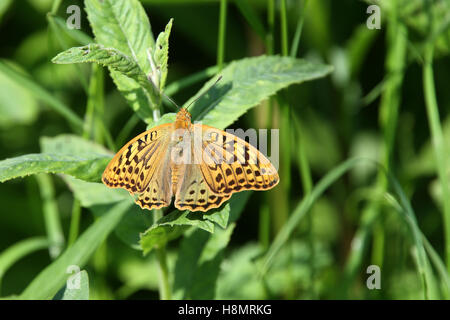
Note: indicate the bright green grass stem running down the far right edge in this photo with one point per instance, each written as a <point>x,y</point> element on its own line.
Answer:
<point>438,144</point>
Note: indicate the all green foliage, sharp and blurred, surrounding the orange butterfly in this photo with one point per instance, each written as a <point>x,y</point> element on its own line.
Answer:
<point>364,134</point>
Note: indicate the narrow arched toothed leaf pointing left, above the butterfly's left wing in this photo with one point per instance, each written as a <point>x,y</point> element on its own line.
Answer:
<point>108,57</point>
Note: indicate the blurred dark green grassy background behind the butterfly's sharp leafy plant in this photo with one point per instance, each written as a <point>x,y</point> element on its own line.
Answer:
<point>377,104</point>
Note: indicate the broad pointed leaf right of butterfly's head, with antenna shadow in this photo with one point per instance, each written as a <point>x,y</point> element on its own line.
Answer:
<point>246,83</point>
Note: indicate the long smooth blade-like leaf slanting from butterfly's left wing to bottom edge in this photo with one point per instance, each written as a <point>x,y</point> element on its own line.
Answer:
<point>47,283</point>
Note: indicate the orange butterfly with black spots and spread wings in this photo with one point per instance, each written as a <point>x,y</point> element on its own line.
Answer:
<point>201,165</point>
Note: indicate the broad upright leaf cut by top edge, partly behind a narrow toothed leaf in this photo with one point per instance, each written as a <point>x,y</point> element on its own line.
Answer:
<point>124,25</point>
